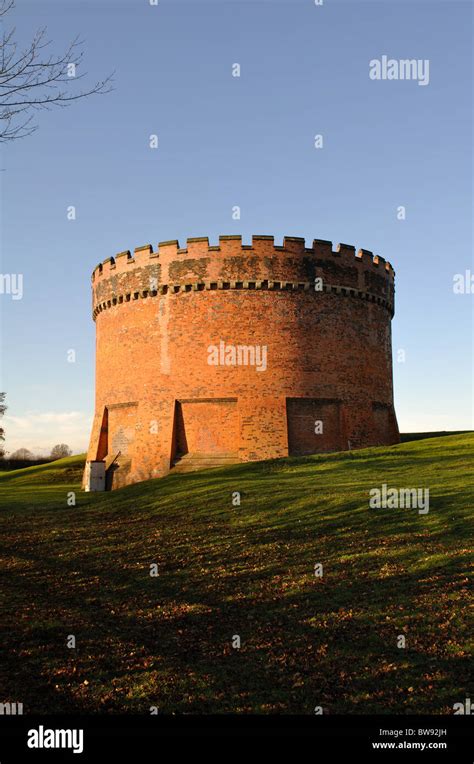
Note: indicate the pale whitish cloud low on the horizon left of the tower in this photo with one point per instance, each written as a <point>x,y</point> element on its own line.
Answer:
<point>40,431</point>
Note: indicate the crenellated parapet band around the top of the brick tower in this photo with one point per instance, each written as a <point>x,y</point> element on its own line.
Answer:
<point>233,265</point>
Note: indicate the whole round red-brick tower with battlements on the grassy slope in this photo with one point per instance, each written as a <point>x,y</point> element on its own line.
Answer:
<point>213,354</point>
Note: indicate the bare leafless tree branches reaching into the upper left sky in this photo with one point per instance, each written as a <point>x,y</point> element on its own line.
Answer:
<point>33,78</point>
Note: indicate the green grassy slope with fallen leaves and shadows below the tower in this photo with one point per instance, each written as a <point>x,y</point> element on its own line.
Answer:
<point>248,570</point>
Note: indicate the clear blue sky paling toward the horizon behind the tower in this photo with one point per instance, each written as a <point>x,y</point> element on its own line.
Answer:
<point>247,141</point>
